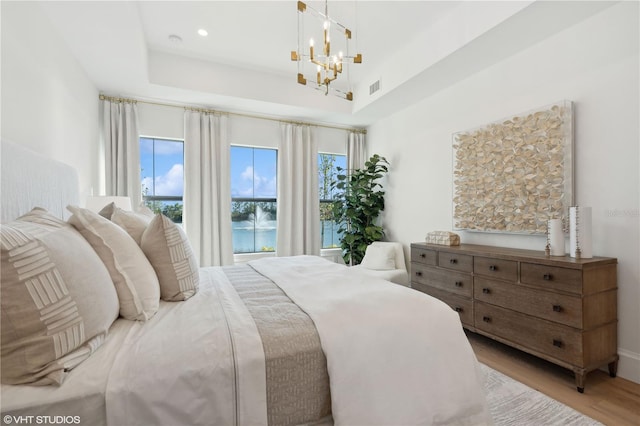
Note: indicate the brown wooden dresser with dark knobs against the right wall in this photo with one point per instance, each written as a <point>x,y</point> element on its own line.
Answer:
<point>557,308</point>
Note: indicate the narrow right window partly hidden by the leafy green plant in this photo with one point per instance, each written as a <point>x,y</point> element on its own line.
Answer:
<point>327,172</point>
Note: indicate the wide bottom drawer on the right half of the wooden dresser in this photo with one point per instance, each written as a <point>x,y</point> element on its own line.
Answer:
<point>554,340</point>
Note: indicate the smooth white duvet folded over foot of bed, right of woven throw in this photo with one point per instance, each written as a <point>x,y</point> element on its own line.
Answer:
<point>395,356</point>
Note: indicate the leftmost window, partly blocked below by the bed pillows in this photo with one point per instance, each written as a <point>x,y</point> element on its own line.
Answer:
<point>162,173</point>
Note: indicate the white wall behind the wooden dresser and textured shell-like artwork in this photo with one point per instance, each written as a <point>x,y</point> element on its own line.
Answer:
<point>595,65</point>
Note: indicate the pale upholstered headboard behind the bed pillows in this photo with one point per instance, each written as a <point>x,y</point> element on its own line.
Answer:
<point>29,180</point>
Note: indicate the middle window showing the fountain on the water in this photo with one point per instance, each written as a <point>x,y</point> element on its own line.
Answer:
<point>253,199</point>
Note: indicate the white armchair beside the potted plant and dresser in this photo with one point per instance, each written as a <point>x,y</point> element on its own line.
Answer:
<point>385,260</point>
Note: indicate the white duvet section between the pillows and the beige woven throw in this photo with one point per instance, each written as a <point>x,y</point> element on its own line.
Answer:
<point>198,362</point>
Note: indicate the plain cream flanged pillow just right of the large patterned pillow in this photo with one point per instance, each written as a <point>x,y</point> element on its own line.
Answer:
<point>135,280</point>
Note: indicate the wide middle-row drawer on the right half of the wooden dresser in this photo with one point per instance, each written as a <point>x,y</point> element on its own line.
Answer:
<point>563,309</point>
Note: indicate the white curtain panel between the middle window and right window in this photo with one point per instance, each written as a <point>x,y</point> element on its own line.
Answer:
<point>298,202</point>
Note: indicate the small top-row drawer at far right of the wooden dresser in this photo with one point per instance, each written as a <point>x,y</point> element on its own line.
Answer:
<point>551,277</point>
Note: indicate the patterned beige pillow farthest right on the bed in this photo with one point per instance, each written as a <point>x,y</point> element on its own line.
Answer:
<point>170,254</point>
